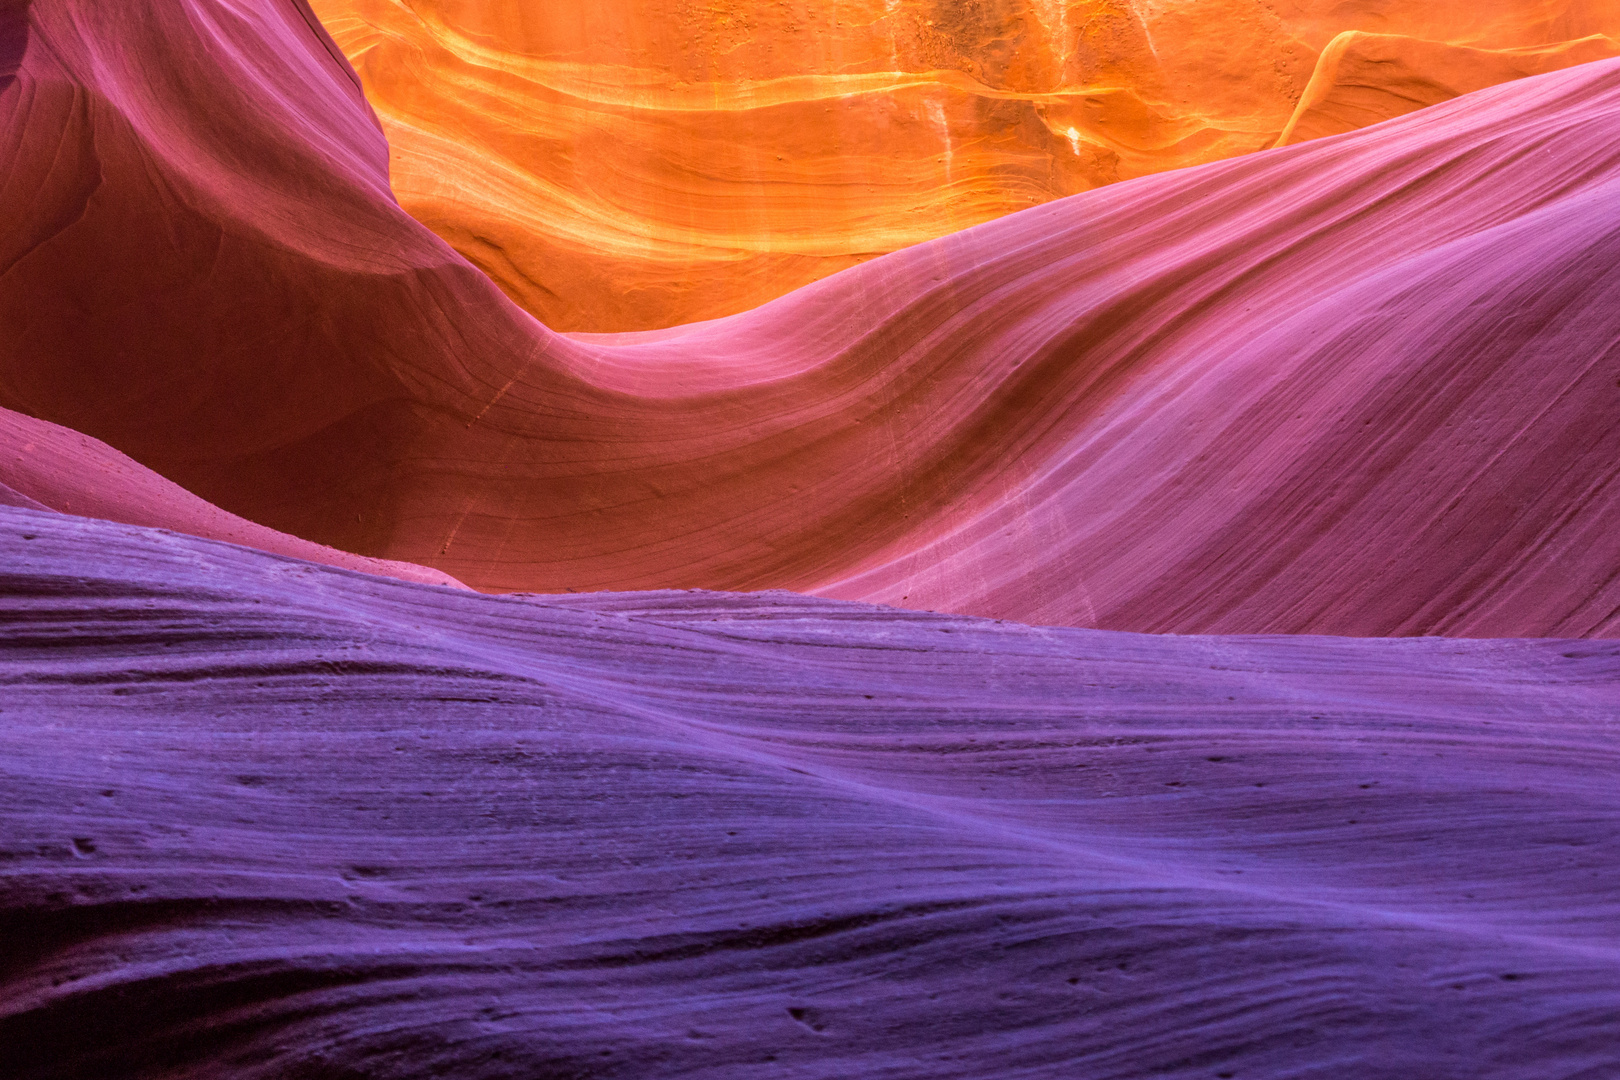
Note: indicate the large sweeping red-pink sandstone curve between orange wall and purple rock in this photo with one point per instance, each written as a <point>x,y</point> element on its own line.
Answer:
<point>1357,386</point>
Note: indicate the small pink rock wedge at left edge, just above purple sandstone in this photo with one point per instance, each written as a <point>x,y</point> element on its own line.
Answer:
<point>48,467</point>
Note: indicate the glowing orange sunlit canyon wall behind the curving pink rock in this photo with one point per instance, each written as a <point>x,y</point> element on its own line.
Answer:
<point>637,164</point>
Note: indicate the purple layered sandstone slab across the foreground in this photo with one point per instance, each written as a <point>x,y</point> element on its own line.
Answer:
<point>265,819</point>
